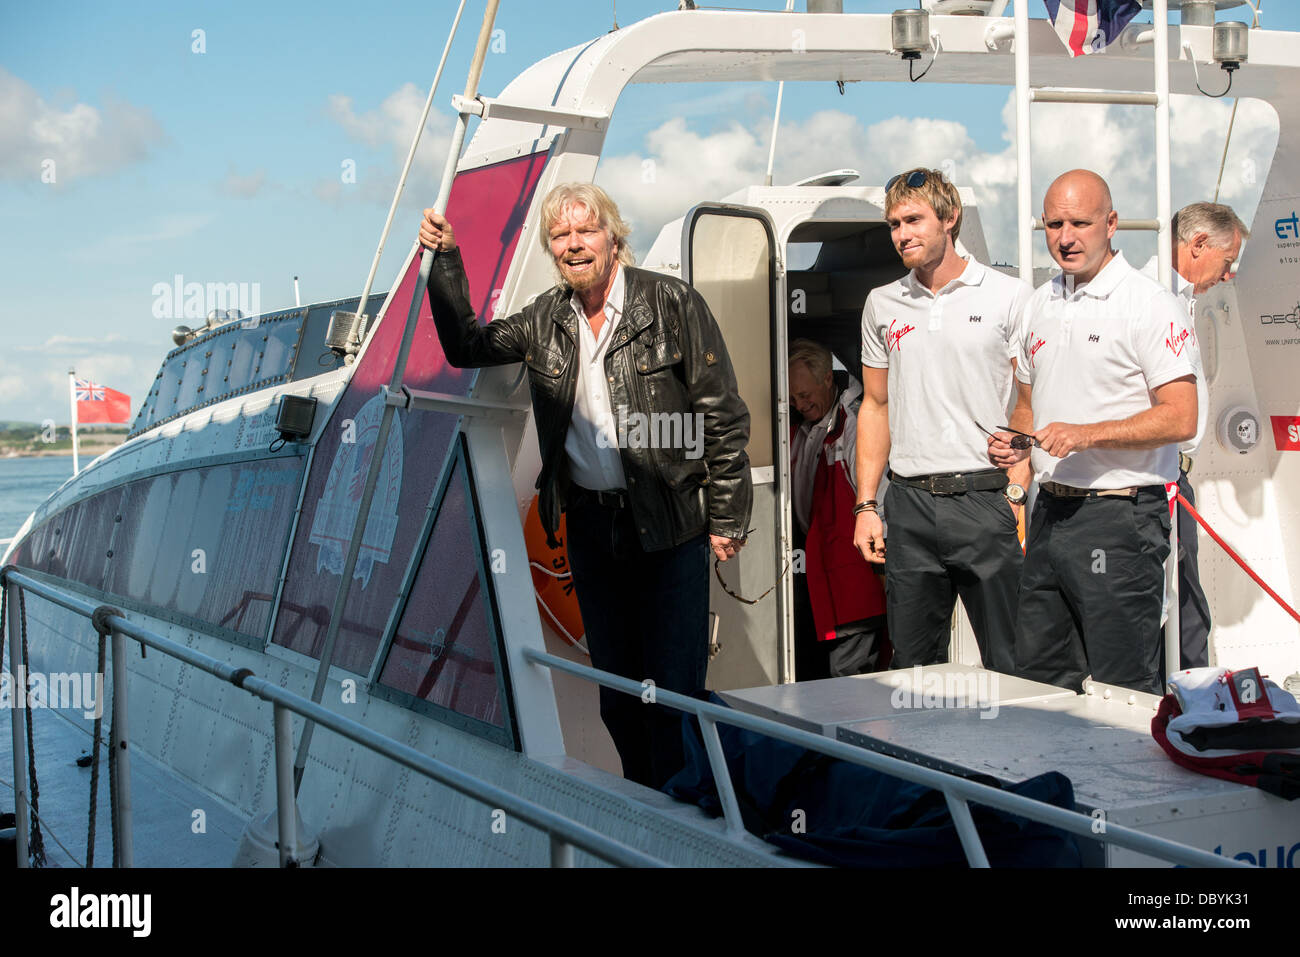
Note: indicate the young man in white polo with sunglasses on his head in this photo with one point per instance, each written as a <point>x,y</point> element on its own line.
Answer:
<point>938,362</point>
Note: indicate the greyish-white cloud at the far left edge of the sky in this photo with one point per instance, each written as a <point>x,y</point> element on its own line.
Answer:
<point>80,141</point>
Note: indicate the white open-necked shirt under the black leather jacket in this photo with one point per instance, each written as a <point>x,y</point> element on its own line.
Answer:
<point>592,443</point>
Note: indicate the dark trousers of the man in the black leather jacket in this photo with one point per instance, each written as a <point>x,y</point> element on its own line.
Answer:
<point>647,618</point>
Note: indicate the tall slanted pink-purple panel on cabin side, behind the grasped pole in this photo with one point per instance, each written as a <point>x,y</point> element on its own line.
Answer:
<point>488,207</point>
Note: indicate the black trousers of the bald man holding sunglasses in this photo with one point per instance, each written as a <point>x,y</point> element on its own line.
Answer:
<point>1093,590</point>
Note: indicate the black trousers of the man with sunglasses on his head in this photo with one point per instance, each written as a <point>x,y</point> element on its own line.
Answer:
<point>941,548</point>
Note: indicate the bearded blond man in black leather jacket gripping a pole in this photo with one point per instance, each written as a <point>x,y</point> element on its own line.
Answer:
<point>643,439</point>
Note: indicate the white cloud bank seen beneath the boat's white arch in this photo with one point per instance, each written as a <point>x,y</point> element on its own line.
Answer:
<point>681,167</point>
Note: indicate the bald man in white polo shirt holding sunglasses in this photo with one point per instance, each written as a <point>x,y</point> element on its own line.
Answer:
<point>1106,371</point>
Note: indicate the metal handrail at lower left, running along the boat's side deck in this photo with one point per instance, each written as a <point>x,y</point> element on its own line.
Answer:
<point>565,834</point>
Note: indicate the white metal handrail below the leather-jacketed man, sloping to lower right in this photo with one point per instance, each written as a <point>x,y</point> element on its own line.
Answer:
<point>957,791</point>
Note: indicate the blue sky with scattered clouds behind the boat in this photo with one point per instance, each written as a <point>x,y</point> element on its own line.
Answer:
<point>226,166</point>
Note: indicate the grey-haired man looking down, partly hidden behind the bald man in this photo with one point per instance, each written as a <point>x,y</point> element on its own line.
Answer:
<point>1207,240</point>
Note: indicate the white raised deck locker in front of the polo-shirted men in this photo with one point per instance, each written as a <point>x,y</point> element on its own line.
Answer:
<point>1013,730</point>
